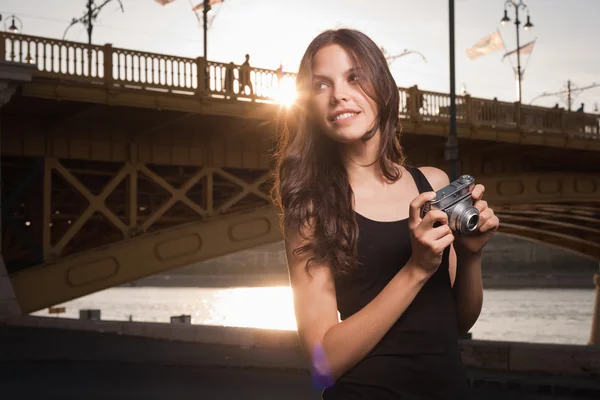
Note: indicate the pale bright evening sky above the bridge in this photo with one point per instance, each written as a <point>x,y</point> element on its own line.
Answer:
<point>567,34</point>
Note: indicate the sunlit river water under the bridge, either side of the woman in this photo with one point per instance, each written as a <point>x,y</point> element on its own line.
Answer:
<point>524,315</point>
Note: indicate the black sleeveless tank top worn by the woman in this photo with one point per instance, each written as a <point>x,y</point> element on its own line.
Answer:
<point>419,357</point>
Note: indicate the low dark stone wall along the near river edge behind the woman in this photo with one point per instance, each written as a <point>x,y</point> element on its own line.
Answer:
<point>514,357</point>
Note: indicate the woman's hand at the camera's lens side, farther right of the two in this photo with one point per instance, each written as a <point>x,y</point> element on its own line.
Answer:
<point>488,225</point>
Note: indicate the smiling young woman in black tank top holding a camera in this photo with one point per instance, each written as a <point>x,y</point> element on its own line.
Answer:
<point>355,241</point>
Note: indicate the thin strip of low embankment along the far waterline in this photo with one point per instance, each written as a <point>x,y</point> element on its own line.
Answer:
<point>518,281</point>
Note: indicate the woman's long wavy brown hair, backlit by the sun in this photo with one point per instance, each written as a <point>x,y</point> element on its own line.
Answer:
<point>311,183</point>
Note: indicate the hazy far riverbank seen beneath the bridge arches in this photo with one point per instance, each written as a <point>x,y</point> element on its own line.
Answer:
<point>508,263</point>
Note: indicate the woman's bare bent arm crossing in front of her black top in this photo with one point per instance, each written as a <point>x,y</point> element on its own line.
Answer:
<point>334,347</point>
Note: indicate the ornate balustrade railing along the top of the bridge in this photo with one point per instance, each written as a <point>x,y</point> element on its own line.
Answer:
<point>112,66</point>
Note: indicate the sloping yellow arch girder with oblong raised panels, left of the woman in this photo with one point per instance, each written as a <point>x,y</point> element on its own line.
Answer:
<point>84,273</point>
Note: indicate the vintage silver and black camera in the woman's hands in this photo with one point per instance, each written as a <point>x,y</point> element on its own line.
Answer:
<point>456,201</point>
